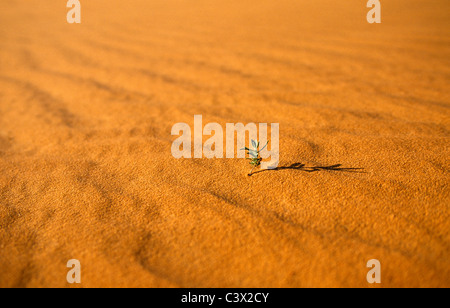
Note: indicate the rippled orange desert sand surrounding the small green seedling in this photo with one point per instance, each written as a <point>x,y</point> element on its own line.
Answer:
<point>85,165</point>
